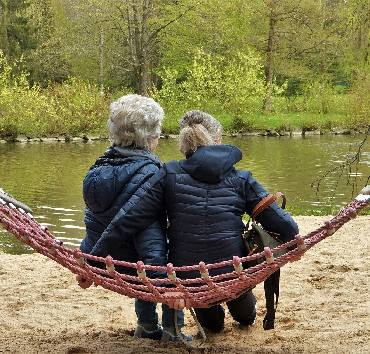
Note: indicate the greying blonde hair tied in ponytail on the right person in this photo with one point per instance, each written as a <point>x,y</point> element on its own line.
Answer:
<point>198,128</point>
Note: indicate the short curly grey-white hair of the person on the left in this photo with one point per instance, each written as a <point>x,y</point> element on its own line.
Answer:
<point>135,121</point>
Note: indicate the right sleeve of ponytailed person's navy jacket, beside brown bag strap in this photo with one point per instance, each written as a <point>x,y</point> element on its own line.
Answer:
<point>273,218</point>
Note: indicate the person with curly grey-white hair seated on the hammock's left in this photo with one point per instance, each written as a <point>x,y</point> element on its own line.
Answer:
<point>134,126</point>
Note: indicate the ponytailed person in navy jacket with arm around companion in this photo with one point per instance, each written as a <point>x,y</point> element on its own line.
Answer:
<point>205,198</point>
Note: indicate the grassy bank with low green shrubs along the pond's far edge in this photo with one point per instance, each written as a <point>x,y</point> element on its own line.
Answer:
<point>77,107</point>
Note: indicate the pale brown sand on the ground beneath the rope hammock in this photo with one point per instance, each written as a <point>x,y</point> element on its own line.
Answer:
<point>324,307</point>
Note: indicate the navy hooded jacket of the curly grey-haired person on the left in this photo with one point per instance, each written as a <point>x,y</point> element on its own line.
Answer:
<point>108,185</point>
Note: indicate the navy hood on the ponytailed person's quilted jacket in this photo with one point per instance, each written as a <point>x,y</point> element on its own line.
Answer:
<point>211,164</point>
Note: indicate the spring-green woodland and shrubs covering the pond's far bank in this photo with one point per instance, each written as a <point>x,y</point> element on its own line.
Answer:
<point>253,64</point>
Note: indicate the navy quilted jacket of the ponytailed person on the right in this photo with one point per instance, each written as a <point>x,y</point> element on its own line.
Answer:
<point>204,197</point>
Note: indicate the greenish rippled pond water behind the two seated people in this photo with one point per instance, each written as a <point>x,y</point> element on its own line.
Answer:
<point>48,176</point>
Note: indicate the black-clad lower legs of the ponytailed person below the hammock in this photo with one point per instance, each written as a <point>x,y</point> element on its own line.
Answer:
<point>242,310</point>
